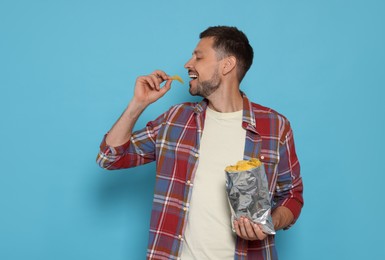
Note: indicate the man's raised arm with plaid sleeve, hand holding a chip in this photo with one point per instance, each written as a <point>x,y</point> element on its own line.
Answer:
<point>119,149</point>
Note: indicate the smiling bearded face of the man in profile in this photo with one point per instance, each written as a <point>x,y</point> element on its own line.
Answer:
<point>203,69</point>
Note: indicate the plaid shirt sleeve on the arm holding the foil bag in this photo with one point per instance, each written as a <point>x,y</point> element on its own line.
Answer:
<point>289,183</point>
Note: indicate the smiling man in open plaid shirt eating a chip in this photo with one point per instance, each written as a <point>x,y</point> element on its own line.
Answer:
<point>192,143</point>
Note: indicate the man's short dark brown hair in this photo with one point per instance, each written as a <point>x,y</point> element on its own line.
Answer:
<point>231,41</point>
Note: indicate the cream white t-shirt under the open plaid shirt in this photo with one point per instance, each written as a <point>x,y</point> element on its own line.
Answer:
<point>208,233</point>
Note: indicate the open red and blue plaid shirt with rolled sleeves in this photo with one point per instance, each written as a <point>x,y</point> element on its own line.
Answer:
<point>172,140</point>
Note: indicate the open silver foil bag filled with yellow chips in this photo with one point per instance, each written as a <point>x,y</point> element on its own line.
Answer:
<point>248,193</point>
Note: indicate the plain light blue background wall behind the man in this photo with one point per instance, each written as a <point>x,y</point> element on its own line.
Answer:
<point>67,70</point>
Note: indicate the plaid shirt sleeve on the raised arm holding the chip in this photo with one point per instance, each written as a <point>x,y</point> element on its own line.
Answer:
<point>140,149</point>
